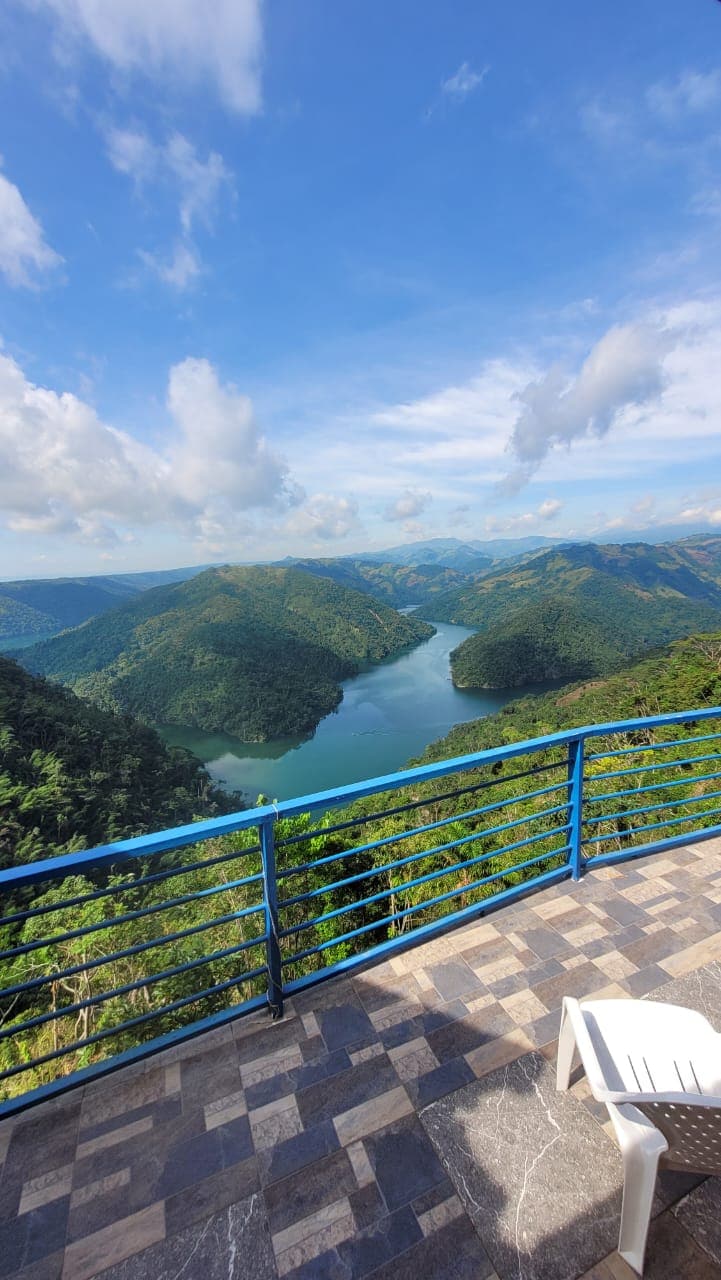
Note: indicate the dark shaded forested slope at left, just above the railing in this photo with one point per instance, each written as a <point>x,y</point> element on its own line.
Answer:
<point>74,776</point>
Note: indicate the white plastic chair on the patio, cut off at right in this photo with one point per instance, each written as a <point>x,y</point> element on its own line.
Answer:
<point>658,1068</point>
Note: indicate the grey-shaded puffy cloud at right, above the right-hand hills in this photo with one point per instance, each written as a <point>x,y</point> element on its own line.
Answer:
<point>623,369</point>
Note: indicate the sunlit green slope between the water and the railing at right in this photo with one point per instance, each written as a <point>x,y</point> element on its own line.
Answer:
<point>687,675</point>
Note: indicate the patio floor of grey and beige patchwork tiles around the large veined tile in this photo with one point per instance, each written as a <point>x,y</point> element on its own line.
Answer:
<point>296,1150</point>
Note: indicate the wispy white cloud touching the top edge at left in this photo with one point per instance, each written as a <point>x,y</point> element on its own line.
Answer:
<point>171,43</point>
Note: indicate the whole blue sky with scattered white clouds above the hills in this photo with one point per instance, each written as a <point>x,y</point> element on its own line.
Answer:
<point>311,277</point>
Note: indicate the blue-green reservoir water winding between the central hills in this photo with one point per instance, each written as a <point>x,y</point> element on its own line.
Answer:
<point>389,715</point>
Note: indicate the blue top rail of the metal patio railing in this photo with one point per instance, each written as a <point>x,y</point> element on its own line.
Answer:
<point>193,834</point>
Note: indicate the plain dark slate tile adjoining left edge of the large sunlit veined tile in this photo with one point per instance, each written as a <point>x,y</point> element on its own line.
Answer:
<point>404,1162</point>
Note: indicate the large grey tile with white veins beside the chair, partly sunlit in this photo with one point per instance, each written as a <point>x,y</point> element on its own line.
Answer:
<point>485,1135</point>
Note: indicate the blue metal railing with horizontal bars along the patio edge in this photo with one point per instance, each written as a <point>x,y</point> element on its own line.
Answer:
<point>112,954</point>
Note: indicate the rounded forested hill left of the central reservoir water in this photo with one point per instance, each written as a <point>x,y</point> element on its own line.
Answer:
<point>248,651</point>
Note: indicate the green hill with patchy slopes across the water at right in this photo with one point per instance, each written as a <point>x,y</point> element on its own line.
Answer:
<point>581,610</point>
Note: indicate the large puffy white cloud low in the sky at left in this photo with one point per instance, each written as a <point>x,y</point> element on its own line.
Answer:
<point>63,470</point>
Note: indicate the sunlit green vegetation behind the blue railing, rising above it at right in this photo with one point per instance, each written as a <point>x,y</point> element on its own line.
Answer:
<point>202,917</point>
